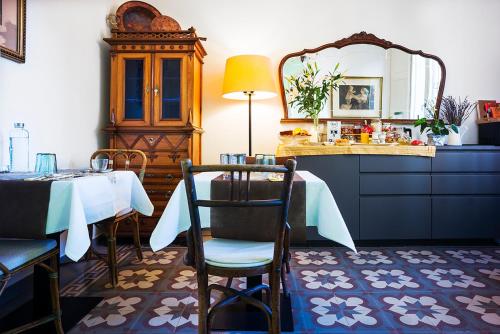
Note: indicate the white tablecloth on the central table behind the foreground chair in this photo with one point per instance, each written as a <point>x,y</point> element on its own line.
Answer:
<point>321,211</point>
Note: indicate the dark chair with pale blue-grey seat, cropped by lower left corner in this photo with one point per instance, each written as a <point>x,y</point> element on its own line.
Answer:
<point>20,254</point>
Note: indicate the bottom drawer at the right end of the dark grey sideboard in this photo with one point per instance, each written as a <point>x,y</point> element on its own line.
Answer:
<point>465,217</point>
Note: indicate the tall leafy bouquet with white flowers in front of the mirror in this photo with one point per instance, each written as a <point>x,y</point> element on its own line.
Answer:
<point>308,91</point>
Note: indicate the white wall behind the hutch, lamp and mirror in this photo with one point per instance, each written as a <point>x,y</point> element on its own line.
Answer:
<point>61,91</point>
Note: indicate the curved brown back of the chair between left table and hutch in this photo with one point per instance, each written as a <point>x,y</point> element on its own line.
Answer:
<point>128,155</point>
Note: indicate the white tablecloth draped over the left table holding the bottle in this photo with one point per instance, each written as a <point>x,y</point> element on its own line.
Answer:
<point>74,203</point>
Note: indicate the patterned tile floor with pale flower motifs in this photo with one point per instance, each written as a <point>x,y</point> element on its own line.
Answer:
<point>378,290</point>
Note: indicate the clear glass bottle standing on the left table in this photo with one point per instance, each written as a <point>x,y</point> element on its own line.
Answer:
<point>19,139</point>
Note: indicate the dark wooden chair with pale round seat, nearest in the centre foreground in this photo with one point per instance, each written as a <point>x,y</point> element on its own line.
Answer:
<point>238,258</point>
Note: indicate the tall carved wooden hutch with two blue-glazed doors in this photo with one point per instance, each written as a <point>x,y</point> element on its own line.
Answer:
<point>155,97</point>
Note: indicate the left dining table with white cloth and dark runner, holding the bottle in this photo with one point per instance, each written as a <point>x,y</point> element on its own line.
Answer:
<point>75,200</point>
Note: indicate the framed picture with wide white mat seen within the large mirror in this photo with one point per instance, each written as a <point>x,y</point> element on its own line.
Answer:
<point>358,97</point>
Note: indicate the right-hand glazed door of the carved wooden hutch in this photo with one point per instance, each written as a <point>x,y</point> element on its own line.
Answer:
<point>169,90</point>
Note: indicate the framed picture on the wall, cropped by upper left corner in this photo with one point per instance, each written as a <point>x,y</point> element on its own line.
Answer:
<point>13,29</point>
